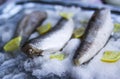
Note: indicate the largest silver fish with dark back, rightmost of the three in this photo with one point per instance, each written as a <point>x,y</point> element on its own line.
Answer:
<point>96,36</point>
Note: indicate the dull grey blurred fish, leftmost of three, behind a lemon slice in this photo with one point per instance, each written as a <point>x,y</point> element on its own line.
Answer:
<point>28,24</point>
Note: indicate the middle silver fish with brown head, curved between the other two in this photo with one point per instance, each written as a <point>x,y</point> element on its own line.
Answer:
<point>54,40</point>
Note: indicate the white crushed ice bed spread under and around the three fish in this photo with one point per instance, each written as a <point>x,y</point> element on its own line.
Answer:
<point>20,67</point>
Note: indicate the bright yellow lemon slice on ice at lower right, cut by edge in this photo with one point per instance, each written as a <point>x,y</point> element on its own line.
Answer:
<point>111,56</point>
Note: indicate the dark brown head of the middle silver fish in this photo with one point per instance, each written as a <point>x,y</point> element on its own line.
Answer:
<point>31,51</point>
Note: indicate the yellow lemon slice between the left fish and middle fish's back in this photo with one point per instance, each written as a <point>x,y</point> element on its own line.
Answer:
<point>44,29</point>
